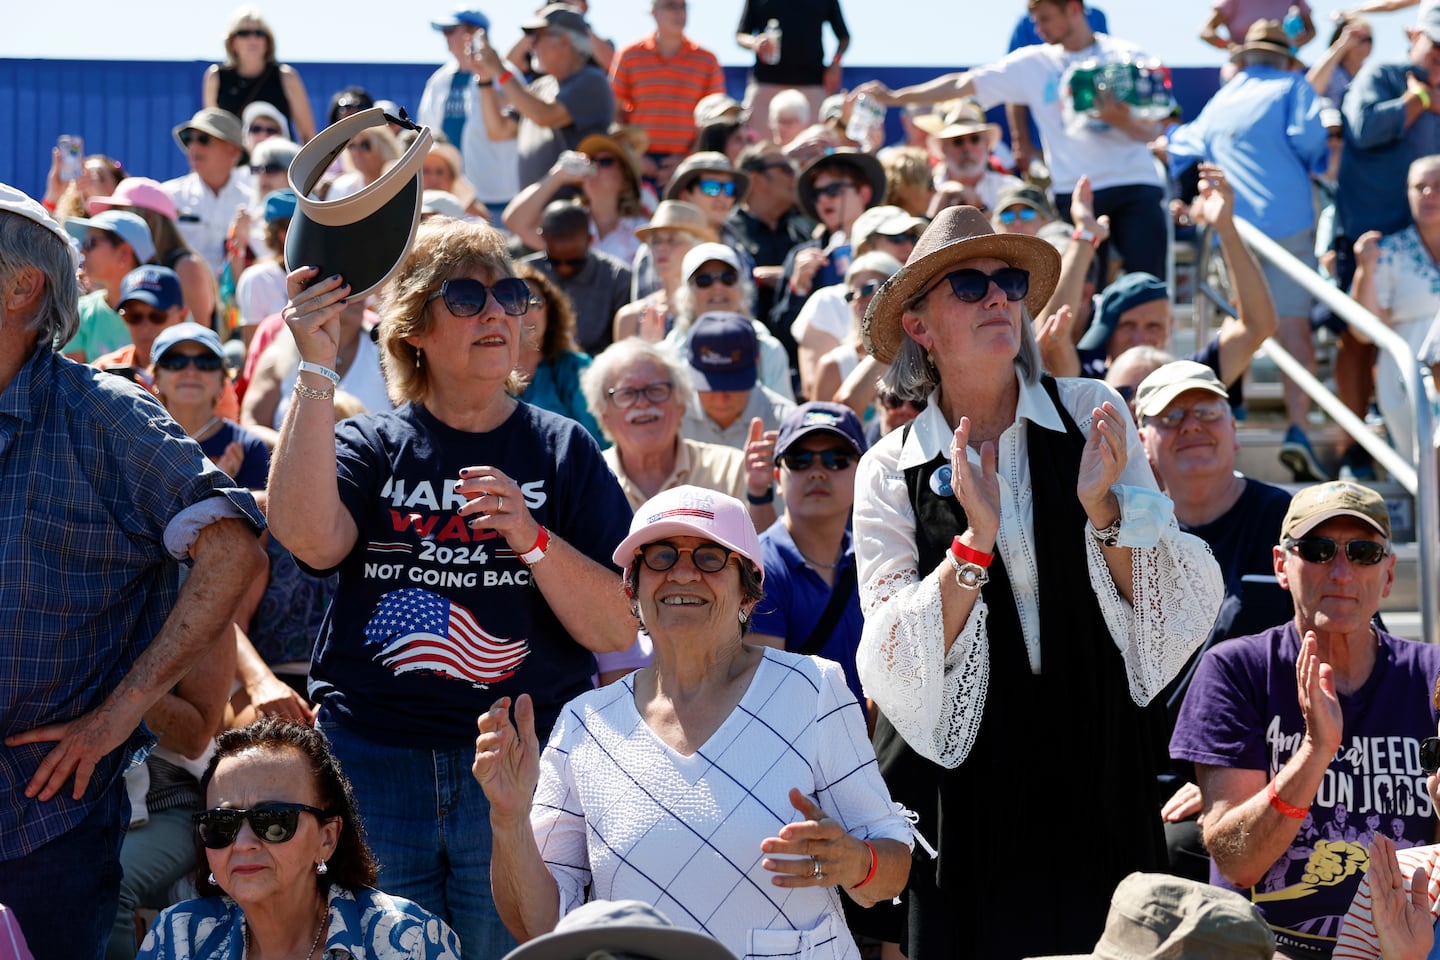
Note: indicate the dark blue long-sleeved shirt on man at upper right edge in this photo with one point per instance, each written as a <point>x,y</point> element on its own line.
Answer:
<point>1379,150</point>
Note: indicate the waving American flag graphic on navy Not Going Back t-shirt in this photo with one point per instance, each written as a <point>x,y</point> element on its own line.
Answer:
<point>421,631</point>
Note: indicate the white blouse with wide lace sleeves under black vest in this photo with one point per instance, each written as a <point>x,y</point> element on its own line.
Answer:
<point>934,699</point>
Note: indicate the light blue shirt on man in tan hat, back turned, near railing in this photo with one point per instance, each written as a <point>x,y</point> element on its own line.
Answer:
<point>1265,132</point>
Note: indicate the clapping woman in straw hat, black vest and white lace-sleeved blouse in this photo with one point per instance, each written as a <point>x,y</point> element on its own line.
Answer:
<point>1027,592</point>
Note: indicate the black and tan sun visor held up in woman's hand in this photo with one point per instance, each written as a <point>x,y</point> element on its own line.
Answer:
<point>364,237</point>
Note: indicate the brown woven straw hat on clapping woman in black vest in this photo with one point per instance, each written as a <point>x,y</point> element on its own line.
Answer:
<point>957,234</point>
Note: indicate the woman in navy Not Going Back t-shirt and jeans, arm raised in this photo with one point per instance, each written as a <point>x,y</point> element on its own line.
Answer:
<point>472,533</point>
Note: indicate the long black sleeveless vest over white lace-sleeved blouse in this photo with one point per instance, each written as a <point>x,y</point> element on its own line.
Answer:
<point>1058,800</point>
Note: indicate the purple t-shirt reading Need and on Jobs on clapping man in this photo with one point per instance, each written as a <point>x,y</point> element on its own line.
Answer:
<point>1243,712</point>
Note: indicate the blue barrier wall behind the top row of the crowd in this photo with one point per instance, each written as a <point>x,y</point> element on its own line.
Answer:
<point>127,109</point>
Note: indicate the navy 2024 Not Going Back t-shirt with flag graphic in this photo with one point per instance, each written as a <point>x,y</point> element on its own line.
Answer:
<point>434,621</point>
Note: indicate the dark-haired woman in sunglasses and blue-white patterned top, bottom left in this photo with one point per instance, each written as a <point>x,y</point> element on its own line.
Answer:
<point>282,863</point>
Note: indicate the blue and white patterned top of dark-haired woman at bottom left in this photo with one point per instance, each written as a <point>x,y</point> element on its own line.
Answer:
<point>365,925</point>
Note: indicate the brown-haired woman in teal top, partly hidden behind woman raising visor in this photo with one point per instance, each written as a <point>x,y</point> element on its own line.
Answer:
<point>549,359</point>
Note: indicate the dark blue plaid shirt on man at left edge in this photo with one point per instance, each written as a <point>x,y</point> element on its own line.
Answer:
<point>102,494</point>
